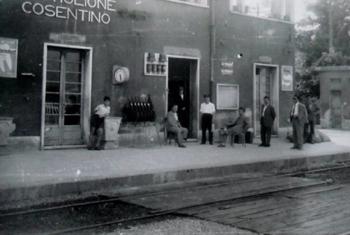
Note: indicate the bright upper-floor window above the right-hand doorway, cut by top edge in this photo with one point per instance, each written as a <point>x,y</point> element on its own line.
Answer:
<point>277,9</point>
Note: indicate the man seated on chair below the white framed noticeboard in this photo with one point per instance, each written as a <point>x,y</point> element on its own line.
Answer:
<point>238,127</point>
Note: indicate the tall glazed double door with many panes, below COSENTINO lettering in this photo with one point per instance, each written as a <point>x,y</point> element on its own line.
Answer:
<point>63,97</point>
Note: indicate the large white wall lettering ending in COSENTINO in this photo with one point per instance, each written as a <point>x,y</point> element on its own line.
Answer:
<point>92,11</point>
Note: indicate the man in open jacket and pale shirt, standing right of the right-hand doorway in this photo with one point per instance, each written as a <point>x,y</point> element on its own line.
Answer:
<point>298,117</point>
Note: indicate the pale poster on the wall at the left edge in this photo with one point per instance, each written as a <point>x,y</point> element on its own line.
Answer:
<point>8,57</point>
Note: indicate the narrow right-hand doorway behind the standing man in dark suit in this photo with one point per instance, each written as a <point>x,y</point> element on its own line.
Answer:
<point>266,83</point>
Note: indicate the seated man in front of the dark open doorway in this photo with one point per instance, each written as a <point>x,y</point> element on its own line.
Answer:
<point>173,126</point>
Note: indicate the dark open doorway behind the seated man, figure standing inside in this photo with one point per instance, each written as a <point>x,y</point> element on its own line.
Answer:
<point>183,90</point>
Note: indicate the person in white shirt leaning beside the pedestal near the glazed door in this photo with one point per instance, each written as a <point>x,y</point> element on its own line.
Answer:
<point>97,124</point>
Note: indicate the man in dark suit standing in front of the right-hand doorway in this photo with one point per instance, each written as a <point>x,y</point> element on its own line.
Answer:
<point>268,116</point>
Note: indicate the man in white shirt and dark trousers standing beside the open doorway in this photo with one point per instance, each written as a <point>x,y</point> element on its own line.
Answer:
<point>207,110</point>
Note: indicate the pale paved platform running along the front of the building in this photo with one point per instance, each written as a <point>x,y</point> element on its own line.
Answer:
<point>57,166</point>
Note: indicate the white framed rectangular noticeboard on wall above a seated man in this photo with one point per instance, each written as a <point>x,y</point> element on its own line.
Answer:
<point>227,96</point>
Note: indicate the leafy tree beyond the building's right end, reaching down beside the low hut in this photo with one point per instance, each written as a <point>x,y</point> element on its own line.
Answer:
<point>325,36</point>
